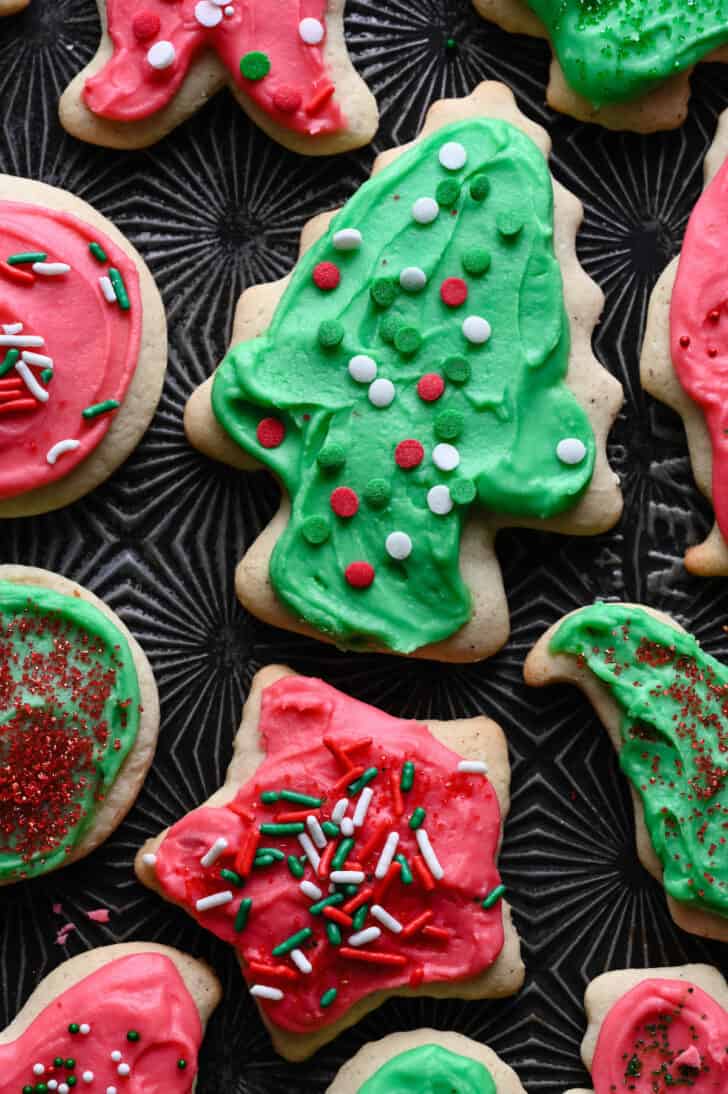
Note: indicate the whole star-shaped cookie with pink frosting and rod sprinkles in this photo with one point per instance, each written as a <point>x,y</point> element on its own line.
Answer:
<point>350,857</point>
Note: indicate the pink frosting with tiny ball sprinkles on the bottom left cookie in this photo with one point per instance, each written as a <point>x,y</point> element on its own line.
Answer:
<point>143,994</point>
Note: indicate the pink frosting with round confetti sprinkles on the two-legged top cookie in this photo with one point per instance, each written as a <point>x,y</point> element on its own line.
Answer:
<point>297,92</point>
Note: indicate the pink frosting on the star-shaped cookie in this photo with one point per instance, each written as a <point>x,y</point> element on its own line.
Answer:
<point>320,742</point>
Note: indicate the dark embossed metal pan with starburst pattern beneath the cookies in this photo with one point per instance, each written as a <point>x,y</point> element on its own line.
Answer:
<point>217,207</point>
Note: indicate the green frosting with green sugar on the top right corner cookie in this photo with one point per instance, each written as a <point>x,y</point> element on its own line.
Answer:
<point>616,51</point>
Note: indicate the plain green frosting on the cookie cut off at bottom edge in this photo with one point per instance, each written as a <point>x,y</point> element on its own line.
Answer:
<point>431,1070</point>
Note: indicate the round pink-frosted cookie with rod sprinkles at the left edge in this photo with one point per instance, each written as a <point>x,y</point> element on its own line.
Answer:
<point>83,348</point>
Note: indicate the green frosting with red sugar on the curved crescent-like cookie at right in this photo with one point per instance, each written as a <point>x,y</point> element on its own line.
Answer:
<point>674,700</point>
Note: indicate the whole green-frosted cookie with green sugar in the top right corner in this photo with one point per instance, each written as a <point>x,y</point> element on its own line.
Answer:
<point>623,64</point>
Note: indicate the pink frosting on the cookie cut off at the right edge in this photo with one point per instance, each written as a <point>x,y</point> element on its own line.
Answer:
<point>699,327</point>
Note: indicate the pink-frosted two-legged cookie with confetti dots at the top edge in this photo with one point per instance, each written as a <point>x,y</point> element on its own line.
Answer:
<point>160,61</point>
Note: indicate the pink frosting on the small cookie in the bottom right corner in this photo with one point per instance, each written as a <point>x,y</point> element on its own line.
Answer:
<point>691,1046</point>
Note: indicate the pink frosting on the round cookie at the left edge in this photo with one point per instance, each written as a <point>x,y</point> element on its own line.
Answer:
<point>95,345</point>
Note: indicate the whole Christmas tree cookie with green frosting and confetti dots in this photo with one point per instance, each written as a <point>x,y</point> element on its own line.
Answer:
<point>424,378</point>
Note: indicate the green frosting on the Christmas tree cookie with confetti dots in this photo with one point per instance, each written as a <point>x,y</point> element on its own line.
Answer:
<point>505,405</point>
